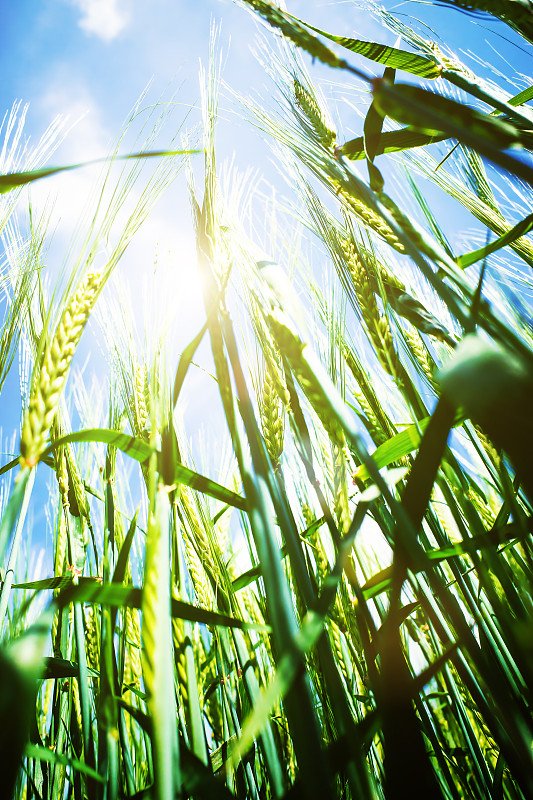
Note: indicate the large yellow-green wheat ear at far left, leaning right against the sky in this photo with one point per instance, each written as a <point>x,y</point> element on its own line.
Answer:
<point>54,369</point>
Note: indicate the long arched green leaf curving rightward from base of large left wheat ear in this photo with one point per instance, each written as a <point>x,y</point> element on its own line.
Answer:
<point>141,451</point>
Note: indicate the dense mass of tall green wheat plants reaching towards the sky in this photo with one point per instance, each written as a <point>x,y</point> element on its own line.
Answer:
<point>341,607</point>
